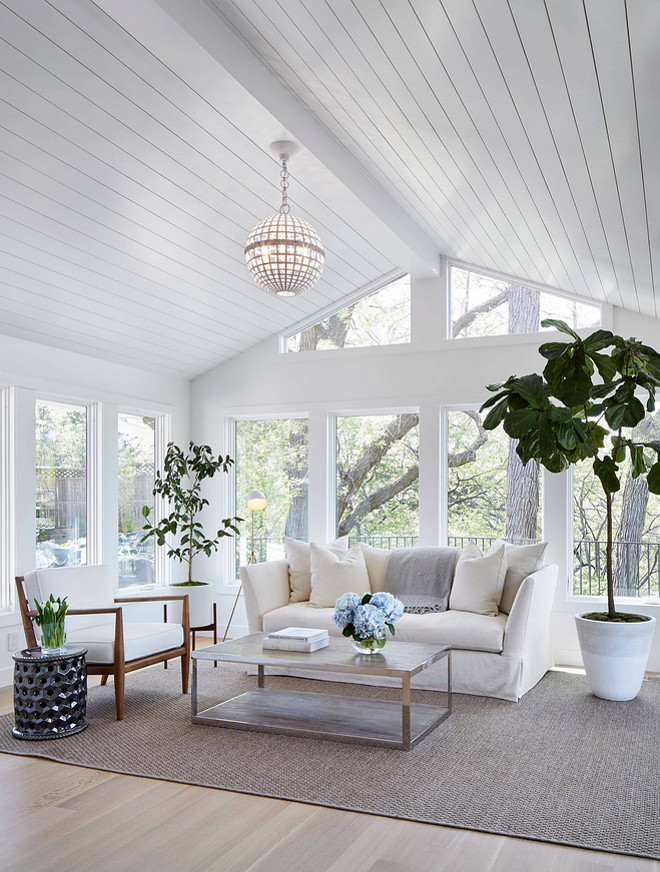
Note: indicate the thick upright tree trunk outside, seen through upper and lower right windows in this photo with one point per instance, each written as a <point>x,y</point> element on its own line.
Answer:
<point>522,496</point>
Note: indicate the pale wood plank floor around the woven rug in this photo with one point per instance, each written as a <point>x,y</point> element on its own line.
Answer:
<point>59,818</point>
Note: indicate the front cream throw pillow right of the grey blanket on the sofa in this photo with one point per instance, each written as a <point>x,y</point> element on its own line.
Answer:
<point>478,580</point>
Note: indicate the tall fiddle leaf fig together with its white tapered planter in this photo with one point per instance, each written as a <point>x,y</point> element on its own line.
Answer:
<point>583,407</point>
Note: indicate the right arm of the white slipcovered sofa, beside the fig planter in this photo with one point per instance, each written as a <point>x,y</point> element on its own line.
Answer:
<point>529,620</point>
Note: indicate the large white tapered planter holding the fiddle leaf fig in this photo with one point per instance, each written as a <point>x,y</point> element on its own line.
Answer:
<point>615,656</point>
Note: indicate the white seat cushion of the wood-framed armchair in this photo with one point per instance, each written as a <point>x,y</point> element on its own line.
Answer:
<point>140,640</point>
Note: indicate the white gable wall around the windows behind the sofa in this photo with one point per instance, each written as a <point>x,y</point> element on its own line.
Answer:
<point>428,374</point>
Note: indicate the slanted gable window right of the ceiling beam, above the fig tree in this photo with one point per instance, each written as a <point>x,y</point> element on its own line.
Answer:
<point>482,305</point>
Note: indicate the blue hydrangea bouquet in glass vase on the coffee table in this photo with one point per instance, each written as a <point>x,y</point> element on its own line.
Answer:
<point>366,618</point>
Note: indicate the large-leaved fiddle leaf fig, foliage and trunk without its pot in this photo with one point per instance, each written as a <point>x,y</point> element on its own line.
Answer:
<point>581,408</point>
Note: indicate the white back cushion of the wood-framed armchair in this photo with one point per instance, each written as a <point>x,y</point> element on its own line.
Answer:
<point>85,587</point>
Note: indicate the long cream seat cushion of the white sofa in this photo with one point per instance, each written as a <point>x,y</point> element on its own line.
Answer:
<point>462,630</point>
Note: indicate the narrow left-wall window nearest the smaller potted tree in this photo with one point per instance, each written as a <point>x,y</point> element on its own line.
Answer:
<point>136,461</point>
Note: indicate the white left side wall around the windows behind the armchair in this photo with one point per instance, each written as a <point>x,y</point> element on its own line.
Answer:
<point>36,370</point>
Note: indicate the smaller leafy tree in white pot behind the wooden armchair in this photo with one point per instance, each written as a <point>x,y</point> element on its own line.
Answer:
<point>180,485</point>
